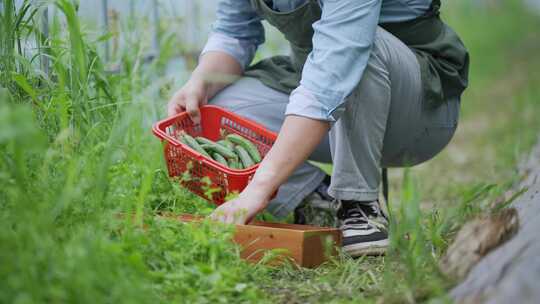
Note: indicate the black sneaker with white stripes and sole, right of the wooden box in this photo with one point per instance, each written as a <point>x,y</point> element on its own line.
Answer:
<point>364,228</point>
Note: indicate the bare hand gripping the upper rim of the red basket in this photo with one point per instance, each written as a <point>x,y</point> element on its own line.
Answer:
<point>189,98</point>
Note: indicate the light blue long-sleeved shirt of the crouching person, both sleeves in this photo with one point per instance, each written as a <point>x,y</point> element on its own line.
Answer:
<point>342,43</point>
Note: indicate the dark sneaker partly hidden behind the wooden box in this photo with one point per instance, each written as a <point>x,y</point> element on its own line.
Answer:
<point>318,208</point>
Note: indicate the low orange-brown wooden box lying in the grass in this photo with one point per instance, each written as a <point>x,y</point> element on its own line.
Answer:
<point>307,246</point>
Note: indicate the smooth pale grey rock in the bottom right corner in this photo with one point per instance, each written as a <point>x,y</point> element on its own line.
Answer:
<point>510,273</point>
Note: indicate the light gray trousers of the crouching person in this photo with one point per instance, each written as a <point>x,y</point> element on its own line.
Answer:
<point>385,124</point>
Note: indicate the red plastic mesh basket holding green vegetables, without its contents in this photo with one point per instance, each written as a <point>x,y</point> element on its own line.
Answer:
<point>206,177</point>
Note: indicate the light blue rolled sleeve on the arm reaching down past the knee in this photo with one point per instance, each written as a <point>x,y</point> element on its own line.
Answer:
<point>342,43</point>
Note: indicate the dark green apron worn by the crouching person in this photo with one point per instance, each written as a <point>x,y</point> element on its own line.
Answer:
<point>443,59</point>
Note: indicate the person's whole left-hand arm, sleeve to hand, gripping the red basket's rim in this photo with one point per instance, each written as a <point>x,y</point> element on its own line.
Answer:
<point>230,48</point>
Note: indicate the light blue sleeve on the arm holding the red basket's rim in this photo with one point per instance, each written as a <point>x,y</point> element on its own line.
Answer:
<point>238,31</point>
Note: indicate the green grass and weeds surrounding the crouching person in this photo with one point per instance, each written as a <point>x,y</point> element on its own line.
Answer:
<point>76,153</point>
